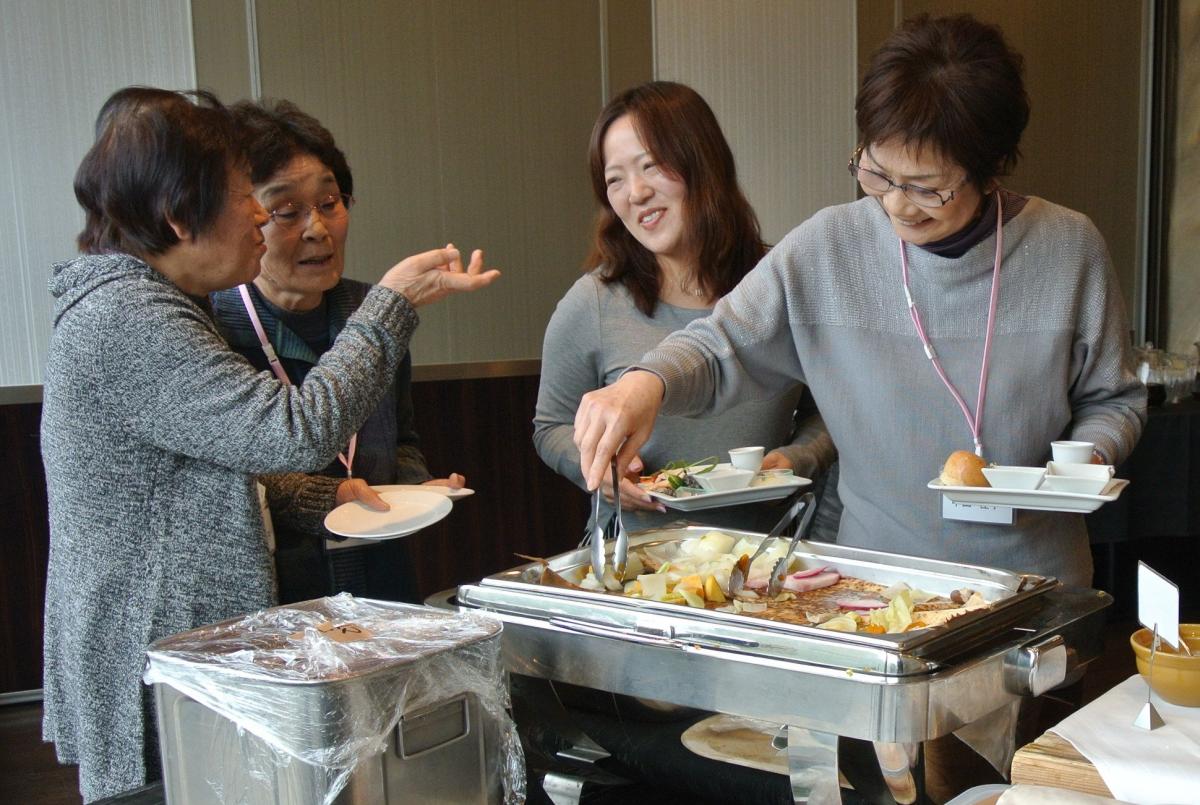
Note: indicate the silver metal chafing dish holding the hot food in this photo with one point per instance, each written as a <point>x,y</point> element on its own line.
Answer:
<point>895,690</point>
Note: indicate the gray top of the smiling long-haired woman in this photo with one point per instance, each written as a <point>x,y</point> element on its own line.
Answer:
<point>595,335</point>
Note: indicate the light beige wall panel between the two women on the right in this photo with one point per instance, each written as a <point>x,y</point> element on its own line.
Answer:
<point>781,77</point>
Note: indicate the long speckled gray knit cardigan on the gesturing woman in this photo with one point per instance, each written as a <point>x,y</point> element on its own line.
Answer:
<point>153,430</point>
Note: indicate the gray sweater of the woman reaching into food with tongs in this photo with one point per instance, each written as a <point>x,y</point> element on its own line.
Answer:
<point>827,308</point>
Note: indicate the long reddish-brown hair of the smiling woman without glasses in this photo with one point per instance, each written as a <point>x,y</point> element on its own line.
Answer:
<point>680,129</point>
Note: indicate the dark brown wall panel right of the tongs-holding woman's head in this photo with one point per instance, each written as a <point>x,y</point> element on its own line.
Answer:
<point>1083,67</point>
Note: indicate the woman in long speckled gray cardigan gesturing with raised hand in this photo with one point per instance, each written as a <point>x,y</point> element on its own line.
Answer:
<point>153,430</point>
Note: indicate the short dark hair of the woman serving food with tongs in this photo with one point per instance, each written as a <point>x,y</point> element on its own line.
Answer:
<point>952,85</point>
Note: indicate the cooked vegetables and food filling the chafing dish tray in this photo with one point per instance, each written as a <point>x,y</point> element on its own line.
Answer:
<point>697,573</point>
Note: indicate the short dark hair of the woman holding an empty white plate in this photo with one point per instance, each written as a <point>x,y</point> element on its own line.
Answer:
<point>275,133</point>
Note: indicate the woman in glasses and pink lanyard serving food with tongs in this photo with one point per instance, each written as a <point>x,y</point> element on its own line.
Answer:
<point>941,313</point>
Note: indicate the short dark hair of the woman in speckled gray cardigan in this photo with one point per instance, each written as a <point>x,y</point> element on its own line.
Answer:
<point>160,157</point>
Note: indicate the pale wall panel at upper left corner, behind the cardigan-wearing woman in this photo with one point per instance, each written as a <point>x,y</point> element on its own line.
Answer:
<point>61,61</point>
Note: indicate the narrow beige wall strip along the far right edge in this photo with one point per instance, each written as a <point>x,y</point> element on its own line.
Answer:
<point>1183,267</point>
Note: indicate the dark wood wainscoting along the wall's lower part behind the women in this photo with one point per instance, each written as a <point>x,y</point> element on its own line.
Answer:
<point>481,428</point>
